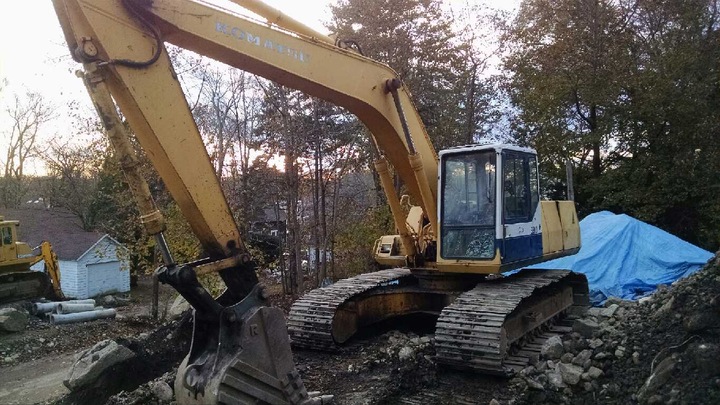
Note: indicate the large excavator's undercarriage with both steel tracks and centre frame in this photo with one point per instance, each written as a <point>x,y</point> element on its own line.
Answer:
<point>489,328</point>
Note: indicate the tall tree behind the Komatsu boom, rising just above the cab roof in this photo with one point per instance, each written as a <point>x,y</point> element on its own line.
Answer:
<point>416,39</point>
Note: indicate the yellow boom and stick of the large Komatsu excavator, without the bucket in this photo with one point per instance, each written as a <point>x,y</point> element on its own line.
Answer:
<point>115,32</point>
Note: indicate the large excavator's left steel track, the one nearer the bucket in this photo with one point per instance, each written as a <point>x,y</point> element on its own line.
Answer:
<point>310,323</point>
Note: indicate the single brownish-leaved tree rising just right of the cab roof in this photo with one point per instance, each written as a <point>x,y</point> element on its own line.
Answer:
<point>566,62</point>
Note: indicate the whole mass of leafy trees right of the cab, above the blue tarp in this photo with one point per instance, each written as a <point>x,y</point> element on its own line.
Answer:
<point>628,91</point>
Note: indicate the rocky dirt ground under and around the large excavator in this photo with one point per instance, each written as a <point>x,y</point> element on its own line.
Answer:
<point>393,363</point>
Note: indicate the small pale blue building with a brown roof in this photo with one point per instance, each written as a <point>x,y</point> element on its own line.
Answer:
<point>91,263</point>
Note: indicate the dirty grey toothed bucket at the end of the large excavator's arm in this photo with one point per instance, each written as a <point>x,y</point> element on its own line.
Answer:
<point>240,352</point>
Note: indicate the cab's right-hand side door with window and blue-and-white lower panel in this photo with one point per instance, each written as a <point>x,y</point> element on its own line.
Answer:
<point>522,238</point>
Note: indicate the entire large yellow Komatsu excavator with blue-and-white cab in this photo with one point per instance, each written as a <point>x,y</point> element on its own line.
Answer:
<point>478,211</point>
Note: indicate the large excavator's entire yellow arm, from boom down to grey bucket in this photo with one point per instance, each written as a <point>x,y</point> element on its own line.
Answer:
<point>240,350</point>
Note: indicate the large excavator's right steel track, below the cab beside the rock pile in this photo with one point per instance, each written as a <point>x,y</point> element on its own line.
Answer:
<point>494,327</point>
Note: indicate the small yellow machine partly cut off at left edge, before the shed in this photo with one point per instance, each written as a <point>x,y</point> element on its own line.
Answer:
<point>17,281</point>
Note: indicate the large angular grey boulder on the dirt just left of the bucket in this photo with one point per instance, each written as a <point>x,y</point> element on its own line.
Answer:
<point>93,362</point>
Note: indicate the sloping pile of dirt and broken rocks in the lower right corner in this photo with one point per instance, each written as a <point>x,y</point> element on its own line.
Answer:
<point>663,350</point>
